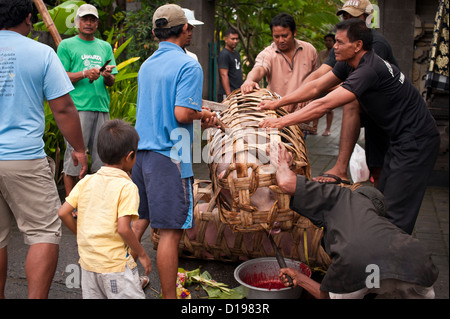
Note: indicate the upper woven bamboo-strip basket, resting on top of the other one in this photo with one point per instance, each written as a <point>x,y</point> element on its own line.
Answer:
<point>243,178</point>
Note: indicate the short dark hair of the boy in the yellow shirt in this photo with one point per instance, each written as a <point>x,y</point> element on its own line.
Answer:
<point>116,139</point>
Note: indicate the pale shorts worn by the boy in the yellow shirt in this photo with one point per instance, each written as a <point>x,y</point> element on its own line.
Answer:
<point>116,285</point>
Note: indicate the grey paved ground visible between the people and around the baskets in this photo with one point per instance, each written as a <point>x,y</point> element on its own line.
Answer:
<point>432,229</point>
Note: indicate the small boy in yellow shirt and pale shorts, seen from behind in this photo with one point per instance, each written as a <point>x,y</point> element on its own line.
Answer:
<point>107,203</point>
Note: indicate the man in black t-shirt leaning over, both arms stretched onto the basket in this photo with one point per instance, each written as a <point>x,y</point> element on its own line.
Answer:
<point>391,102</point>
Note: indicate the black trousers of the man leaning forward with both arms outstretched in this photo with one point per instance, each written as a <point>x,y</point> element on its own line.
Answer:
<point>407,166</point>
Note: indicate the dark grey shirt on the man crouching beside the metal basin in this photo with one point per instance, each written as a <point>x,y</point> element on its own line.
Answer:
<point>355,237</point>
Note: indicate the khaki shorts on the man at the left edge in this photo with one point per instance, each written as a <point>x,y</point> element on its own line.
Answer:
<point>28,194</point>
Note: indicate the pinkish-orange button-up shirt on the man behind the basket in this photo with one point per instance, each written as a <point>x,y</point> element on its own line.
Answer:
<point>284,77</point>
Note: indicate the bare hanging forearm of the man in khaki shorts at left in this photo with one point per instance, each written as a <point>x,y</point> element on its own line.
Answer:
<point>68,122</point>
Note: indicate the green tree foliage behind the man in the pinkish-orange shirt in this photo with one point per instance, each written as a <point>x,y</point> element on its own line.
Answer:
<point>251,19</point>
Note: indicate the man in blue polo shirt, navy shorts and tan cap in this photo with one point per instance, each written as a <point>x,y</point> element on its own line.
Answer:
<point>169,100</point>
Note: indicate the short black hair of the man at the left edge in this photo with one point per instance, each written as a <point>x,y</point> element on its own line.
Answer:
<point>13,12</point>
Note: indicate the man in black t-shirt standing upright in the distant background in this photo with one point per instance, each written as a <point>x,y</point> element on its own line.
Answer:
<point>229,61</point>
